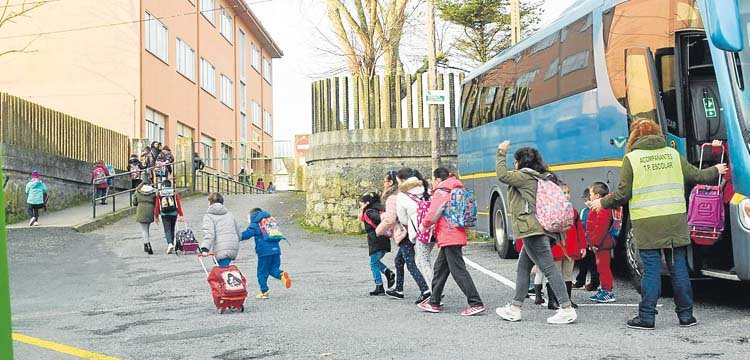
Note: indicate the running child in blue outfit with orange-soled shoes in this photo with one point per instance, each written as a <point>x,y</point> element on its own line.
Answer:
<point>265,231</point>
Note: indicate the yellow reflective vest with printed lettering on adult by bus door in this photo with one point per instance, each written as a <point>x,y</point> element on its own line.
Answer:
<point>658,183</point>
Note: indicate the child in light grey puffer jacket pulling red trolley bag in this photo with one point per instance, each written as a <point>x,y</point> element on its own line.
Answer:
<point>221,233</point>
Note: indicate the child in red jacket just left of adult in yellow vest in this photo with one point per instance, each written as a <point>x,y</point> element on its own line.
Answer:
<point>601,242</point>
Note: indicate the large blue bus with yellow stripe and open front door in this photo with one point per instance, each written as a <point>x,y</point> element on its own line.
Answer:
<point>572,89</point>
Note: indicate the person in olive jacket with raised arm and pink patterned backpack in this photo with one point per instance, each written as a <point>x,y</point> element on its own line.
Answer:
<point>540,212</point>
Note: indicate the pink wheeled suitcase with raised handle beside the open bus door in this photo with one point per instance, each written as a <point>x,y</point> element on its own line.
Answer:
<point>706,210</point>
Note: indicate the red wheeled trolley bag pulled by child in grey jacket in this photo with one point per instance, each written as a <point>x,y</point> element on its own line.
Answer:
<point>228,285</point>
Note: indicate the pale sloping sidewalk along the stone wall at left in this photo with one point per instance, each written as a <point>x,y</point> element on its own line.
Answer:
<point>74,216</point>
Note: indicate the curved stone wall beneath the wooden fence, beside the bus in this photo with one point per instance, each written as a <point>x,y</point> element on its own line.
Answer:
<point>343,165</point>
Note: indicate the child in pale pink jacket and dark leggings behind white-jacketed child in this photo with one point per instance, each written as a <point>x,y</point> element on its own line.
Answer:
<point>389,224</point>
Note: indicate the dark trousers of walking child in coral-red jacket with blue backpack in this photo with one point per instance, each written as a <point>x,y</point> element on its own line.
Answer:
<point>450,261</point>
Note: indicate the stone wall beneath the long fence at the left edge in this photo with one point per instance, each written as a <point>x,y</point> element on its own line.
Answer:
<point>68,180</point>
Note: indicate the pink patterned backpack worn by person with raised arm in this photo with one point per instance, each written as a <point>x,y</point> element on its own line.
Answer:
<point>553,210</point>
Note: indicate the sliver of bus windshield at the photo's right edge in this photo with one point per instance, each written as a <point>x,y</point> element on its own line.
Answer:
<point>741,82</point>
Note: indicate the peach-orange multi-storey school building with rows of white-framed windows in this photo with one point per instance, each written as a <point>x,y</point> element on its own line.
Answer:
<point>153,70</point>
